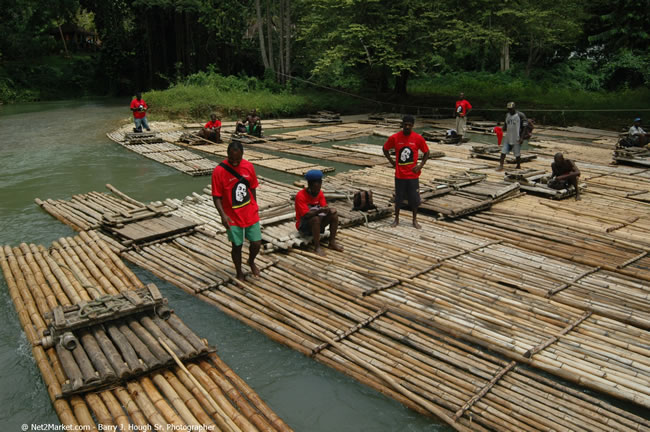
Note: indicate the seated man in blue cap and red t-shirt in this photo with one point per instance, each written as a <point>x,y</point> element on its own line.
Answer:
<point>312,213</point>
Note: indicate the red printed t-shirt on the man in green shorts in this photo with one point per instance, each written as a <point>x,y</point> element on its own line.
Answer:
<point>237,200</point>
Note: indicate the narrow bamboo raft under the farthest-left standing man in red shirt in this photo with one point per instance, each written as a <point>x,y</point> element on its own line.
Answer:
<point>163,152</point>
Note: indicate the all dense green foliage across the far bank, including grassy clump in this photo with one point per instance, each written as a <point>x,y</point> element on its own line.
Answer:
<point>553,53</point>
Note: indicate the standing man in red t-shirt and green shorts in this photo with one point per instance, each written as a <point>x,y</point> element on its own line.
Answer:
<point>233,193</point>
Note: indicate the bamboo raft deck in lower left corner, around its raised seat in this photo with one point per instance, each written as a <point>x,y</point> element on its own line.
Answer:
<point>204,394</point>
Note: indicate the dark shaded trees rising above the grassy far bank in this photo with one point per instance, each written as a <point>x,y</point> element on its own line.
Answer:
<point>365,45</point>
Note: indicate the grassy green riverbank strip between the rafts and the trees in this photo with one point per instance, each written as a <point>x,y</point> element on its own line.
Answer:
<point>195,97</point>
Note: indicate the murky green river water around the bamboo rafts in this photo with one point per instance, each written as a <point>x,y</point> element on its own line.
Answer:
<point>55,150</point>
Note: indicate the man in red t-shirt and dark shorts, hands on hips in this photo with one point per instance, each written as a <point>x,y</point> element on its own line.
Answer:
<point>407,145</point>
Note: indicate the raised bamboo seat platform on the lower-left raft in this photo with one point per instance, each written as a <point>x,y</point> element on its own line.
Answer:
<point>115,338</point>
